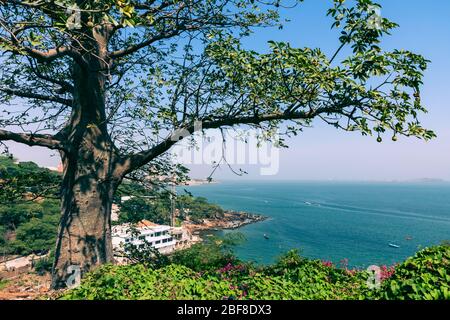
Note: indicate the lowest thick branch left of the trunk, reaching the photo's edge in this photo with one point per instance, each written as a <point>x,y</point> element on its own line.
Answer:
<point>42,140</point>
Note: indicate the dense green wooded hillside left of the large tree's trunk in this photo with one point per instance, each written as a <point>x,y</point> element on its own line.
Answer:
<point>29,209</point>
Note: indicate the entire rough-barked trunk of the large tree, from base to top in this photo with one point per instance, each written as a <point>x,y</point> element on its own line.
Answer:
<point>89,179</point>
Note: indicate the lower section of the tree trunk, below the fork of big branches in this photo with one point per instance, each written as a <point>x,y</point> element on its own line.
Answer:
<point>84,236</point>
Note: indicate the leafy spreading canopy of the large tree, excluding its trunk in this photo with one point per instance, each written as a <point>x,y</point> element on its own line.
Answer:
<point>169,63</point>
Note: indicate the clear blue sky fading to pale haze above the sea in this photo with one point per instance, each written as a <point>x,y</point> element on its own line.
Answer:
<point>323,153</point>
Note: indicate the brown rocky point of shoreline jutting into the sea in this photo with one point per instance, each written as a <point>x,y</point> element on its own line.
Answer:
<point>230,220</point>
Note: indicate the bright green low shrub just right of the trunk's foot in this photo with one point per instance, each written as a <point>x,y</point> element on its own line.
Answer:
<point>138,282</point>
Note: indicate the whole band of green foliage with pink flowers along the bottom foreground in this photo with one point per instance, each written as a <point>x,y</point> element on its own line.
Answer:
<point>424,276</point>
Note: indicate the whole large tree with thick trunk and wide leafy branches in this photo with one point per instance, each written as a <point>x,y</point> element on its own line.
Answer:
<point>113,84</point>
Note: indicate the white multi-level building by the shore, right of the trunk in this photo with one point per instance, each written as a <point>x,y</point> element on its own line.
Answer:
<point>158,236</point>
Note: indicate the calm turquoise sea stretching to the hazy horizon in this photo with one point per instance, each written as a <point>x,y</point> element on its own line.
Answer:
<point>336,220</point>
